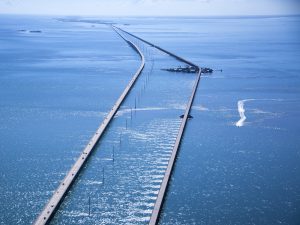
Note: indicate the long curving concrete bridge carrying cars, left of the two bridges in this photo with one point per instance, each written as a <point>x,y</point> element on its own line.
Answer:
<point>58,196</point>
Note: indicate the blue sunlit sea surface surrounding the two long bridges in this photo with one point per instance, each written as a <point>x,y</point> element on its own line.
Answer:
<point>239,161</point>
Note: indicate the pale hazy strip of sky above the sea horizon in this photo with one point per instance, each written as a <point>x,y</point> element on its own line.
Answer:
<point>151,7</point>
